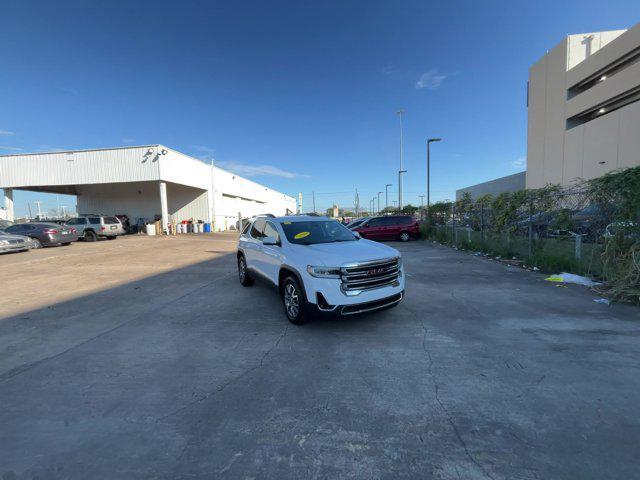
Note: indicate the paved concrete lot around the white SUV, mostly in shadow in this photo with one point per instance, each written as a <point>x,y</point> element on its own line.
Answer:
<point>144,358</point>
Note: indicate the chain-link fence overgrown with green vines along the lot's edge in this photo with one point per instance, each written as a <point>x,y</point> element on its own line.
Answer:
<point>552,229</point>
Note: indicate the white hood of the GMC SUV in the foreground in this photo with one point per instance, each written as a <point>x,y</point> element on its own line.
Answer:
<point>339,253</point>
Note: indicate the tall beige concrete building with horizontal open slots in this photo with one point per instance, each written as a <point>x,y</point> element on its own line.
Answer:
<point>584,114</point>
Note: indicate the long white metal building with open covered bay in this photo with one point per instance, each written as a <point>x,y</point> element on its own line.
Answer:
<point>141,182</point>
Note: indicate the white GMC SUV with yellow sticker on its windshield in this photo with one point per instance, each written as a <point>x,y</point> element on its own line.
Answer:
<point>320,266</point>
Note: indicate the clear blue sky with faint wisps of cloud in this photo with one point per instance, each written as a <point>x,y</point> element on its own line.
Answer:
<point>300,96</point>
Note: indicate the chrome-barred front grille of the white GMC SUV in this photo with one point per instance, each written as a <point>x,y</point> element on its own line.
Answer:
<point>358,277</point>
